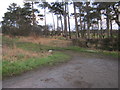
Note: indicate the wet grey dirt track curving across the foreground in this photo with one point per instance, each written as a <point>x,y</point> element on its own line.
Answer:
<point>83,71</point>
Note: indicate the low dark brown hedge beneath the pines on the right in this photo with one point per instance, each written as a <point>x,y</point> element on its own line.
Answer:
<point>104,44</point>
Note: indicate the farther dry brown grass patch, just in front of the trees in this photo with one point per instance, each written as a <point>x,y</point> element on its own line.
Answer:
<point>46,41</point>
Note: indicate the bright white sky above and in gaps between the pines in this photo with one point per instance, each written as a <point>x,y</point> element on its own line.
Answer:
<point>5,3</point>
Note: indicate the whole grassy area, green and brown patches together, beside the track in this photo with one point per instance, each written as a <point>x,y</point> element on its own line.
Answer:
<point>21,54</point>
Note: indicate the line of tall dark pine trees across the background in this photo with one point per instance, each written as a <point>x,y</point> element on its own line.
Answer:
<point>87,15</point>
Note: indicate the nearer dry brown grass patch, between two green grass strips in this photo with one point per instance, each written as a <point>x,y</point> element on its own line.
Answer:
<point>13,54</point>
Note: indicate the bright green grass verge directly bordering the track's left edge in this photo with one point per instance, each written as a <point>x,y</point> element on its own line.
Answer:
<point>17,67</point>
